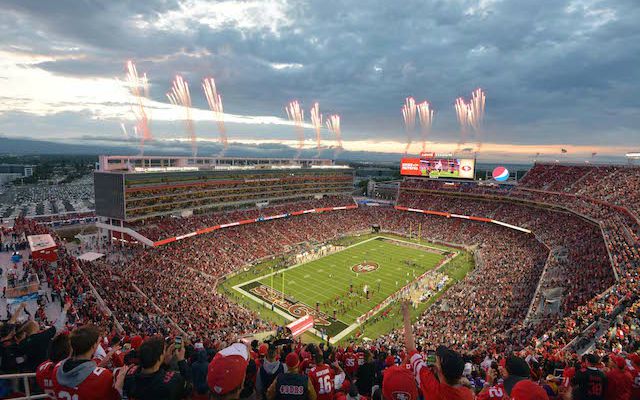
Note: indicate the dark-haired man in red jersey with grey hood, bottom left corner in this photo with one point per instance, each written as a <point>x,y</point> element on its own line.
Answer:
<point>78,377</point>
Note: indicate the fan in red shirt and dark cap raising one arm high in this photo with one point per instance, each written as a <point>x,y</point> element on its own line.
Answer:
<point>443,383</point>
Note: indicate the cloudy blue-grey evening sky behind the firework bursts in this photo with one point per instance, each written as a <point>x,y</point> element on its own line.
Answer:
<point>557,74</point>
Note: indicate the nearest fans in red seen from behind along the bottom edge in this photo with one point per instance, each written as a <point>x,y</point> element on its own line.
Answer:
<point>87,363</point>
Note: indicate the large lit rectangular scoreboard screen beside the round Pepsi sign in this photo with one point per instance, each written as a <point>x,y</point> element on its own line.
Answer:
<point>460,168</point>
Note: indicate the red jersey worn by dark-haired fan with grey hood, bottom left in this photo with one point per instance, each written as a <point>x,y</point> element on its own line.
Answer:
<point>97,386</point>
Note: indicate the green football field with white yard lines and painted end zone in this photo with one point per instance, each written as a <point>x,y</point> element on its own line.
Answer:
<point>340,287</point>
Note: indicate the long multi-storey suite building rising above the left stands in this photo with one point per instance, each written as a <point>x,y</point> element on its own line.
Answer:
<point>131,188</point>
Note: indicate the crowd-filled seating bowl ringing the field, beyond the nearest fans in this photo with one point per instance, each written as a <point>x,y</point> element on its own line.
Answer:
<point>585,246</point>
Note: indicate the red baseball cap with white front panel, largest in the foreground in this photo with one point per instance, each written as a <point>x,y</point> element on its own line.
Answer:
<point>227,369</point>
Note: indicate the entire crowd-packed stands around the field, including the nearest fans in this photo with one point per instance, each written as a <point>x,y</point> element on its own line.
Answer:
<point>552,314</point>
